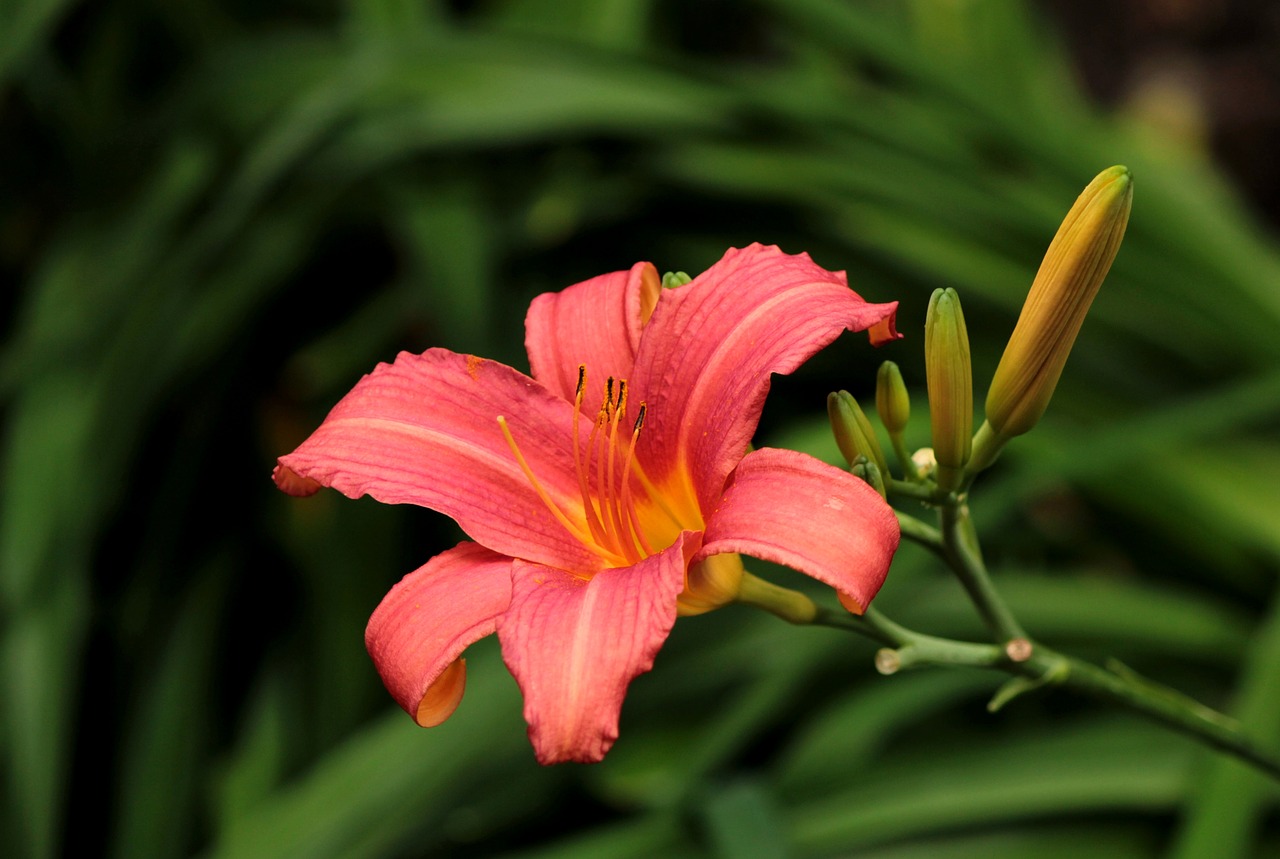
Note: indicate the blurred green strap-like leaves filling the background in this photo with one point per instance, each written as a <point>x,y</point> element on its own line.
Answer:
<point>217,217</point>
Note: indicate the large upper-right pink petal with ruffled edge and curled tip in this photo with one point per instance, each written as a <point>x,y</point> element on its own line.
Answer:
<point>706,358</point>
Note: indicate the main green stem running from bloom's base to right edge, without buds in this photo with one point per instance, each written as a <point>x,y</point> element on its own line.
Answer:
<point>1031,665</point>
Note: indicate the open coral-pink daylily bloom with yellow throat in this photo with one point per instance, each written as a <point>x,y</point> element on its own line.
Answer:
<point>607,494</point>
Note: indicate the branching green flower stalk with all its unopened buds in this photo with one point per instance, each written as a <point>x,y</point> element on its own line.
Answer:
<point>1069,277</point>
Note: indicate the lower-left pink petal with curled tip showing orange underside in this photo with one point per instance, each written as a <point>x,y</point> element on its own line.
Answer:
<point>418,633</point>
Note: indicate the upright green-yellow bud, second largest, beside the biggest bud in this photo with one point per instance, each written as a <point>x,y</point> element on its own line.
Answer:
<point>950,381</point>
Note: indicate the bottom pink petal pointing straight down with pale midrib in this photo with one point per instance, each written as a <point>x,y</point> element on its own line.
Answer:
<point>574,646</point>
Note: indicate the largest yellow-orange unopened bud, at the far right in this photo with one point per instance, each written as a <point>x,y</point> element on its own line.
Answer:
<point>1069,277</point>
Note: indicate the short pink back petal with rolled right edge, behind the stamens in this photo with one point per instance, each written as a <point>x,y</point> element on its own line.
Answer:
<point>596,323</point>
